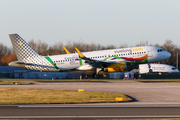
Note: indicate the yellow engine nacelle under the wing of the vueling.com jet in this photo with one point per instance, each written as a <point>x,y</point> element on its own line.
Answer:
<point>117,67</point>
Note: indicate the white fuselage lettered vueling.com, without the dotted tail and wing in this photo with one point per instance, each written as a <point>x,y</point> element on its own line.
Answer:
<point>145,54</point>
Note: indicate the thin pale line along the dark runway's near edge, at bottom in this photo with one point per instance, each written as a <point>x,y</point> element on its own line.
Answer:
<point>145,116</point>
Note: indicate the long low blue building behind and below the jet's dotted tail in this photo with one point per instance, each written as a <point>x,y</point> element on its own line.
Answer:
<point>13,72</point>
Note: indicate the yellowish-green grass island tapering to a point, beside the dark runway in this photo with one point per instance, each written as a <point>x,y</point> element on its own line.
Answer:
<point>10,96</point>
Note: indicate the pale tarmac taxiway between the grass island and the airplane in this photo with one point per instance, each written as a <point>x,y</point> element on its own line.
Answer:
<point>139,91</point>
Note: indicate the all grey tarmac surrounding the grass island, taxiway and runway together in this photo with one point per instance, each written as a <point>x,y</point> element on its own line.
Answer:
<point>151,100</point>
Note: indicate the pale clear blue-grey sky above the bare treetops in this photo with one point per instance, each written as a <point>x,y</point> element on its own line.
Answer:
<point>106,22</point>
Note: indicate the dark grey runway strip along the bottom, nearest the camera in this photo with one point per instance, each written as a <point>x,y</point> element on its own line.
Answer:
<point>83,112</point>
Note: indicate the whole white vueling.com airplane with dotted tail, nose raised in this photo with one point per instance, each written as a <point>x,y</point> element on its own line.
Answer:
<point>113,60</point>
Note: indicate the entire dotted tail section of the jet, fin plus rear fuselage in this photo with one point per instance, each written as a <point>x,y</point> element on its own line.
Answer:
<point>29,58</point>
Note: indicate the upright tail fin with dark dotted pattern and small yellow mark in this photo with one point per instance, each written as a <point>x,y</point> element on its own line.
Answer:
<point>22,49</point>
